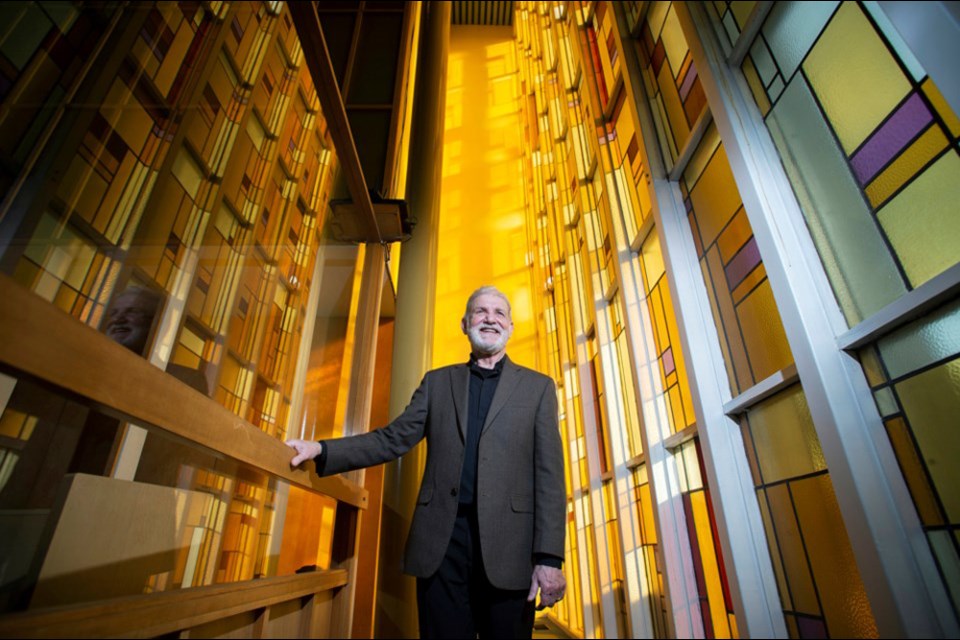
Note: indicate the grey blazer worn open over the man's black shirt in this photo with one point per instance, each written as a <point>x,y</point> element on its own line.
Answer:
<point>521,490</point>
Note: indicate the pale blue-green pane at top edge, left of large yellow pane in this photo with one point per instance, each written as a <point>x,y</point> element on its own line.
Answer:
<point>791,29</point>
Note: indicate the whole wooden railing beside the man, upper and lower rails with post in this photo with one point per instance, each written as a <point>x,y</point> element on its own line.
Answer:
<point>41,342</point>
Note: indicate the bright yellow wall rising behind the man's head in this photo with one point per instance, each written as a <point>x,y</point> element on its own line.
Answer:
<point>482,231</point>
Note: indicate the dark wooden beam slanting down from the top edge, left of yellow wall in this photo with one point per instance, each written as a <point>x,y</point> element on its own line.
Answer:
<point>317,55</point>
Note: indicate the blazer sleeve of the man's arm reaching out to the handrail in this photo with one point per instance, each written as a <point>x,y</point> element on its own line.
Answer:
<point>380,445</point>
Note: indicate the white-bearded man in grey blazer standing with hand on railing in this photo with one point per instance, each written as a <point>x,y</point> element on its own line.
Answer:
<point>488,529</point>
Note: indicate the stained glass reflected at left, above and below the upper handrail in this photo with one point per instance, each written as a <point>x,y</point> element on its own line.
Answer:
<point>195,164</point>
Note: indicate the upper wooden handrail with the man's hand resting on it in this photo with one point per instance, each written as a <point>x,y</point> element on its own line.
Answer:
<point>43,341</point>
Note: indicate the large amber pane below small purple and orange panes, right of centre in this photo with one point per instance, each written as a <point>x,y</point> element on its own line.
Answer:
<point>763,334</point>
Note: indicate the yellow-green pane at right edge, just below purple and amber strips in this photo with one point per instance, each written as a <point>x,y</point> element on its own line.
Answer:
<point>922,222</point>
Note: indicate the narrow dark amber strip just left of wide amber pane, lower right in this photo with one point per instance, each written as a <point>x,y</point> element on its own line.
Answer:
<point>792,553</point>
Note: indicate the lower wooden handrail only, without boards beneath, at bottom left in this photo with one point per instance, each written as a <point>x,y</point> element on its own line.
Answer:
<point>153,614</point>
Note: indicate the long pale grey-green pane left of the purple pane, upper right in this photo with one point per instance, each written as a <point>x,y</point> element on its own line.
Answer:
<point>863,274</point>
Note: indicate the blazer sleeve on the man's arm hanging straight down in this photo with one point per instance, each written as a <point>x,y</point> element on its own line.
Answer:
<point>551,489</point>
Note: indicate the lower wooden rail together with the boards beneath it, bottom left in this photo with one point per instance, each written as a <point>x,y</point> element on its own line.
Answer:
<point>295,606</point>
